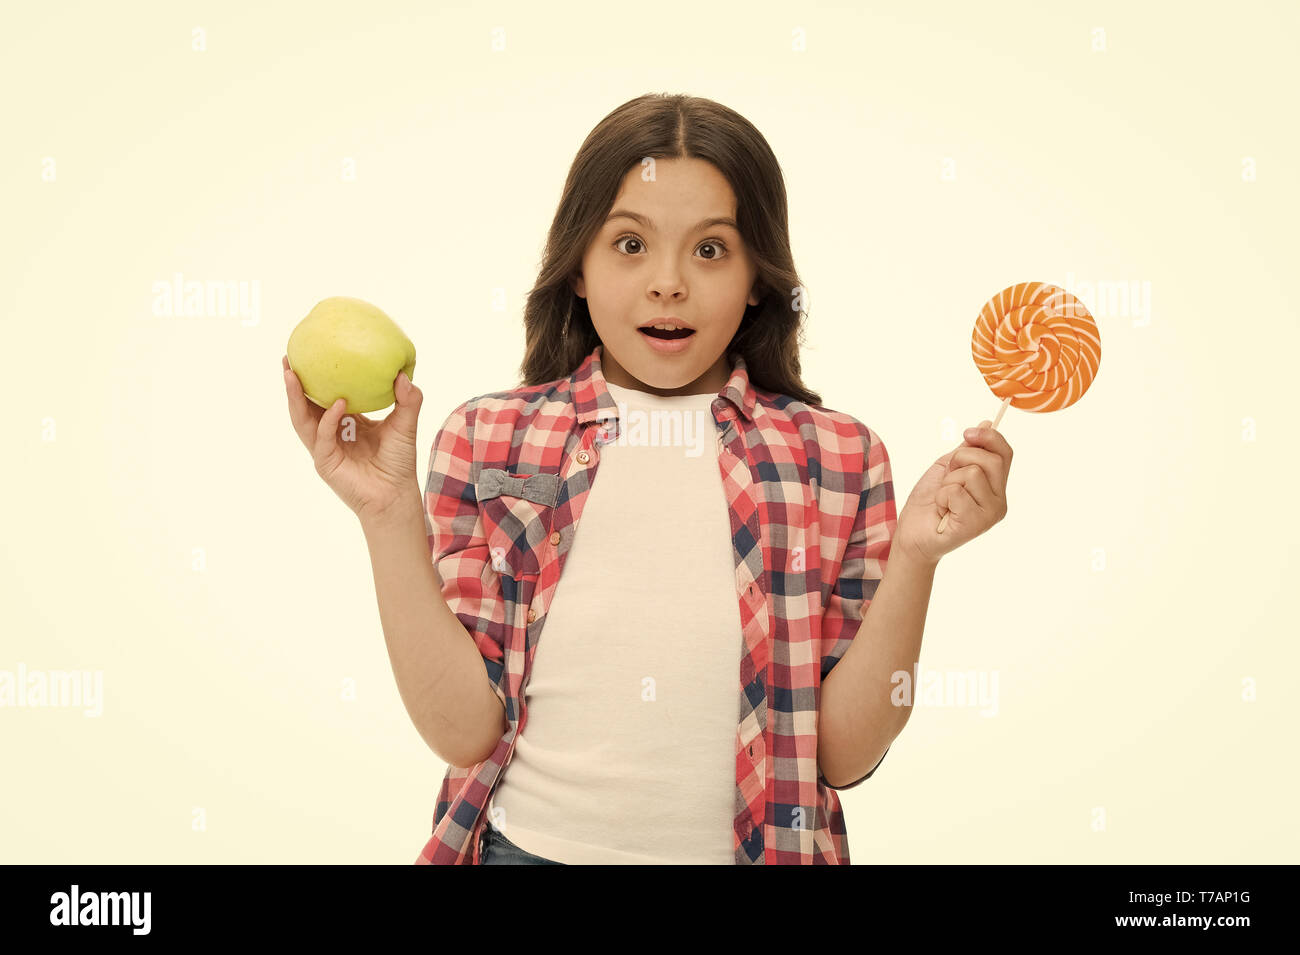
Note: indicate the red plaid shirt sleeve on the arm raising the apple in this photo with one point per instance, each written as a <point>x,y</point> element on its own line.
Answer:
<point>458,545</point>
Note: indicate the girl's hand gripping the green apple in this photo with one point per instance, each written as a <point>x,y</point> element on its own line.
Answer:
<point>374,475</point>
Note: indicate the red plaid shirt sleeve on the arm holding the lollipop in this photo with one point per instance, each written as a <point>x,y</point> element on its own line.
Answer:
<point>864,566</point>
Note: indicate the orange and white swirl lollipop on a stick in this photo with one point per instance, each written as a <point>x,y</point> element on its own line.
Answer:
<point>1037,348</point>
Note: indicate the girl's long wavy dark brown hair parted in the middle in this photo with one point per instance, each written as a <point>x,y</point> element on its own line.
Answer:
<point>558,329</point>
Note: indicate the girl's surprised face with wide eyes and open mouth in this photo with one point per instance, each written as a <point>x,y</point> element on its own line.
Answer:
<point>662,254</point>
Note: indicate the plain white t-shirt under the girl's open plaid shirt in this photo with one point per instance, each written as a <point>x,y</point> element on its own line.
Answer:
<point>630,750</point>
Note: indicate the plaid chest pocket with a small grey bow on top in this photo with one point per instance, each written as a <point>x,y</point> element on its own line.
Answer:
<point>517,511</point>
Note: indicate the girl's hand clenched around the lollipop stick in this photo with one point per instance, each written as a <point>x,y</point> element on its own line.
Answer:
<point>969,485</point>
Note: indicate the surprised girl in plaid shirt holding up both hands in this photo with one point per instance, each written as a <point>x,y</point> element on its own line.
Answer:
<point>710,675</point>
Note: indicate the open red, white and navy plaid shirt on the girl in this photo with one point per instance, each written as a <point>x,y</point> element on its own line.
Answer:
<point>813,516</point>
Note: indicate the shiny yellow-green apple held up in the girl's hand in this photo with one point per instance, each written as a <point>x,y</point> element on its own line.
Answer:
<point>349,349</point>
